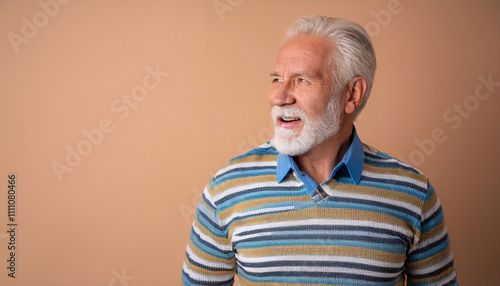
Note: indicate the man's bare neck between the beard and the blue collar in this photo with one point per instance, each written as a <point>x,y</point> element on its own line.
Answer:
<point>319,162</point>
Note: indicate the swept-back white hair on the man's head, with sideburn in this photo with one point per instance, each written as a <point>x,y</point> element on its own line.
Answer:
<point>353,54</point>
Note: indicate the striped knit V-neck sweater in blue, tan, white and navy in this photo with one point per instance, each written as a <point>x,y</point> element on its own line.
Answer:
<point>387,227</point>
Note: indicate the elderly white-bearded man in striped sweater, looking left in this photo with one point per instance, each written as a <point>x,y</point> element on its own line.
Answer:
<point>316,206</point>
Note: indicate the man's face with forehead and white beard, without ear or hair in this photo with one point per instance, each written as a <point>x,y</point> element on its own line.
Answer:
<point>305,109</point>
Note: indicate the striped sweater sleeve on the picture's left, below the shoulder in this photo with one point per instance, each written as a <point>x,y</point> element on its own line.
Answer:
<point>210,258</point>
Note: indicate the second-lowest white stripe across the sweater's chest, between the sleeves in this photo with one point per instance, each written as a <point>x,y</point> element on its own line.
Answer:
<point>330,222</point>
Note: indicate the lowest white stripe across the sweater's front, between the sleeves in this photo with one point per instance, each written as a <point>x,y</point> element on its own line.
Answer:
<point>319,258</point>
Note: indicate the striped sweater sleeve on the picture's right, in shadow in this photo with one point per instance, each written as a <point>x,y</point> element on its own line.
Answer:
<point>430,260</point>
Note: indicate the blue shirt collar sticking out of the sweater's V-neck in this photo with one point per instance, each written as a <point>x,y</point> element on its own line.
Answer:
<point>353,159</point>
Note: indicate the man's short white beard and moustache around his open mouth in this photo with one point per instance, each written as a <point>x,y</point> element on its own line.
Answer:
<point>314,130</point>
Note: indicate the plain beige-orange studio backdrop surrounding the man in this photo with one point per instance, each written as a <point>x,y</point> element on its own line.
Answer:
<point>126,208</point>
